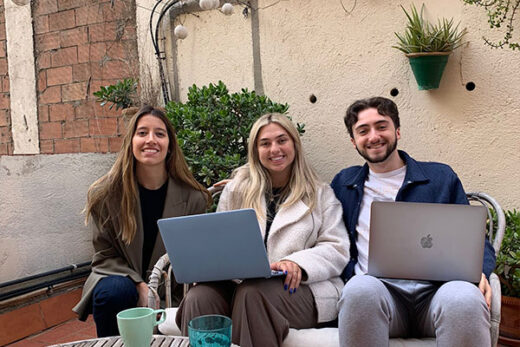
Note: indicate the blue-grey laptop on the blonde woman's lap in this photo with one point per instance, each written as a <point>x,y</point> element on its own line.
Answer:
<point>215,246</point>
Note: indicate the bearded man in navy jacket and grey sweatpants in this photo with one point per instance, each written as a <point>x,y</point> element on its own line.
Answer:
<point>374,309</point>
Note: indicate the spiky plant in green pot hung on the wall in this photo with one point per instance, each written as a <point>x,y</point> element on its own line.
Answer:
<point>428,46</point>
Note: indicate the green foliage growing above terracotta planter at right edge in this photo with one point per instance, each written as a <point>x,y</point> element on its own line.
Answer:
<point>508,259</point>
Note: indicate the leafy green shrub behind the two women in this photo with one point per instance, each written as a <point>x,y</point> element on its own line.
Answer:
<point>213,127</point>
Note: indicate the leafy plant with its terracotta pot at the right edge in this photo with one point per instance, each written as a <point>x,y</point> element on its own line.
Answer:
<point>508,271</point>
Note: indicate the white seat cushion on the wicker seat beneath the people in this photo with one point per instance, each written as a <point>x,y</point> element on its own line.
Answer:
<point>324,337</point>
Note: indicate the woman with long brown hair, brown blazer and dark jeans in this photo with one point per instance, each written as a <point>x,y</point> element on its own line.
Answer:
<point>149,180</point>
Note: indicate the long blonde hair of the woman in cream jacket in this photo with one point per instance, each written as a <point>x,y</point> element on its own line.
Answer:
<point>254,181</point>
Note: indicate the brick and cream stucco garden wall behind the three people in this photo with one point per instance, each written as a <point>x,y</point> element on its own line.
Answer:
<point>314,55</point>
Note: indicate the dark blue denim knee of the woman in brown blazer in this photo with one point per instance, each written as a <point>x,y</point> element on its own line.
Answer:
<point>116,291</point>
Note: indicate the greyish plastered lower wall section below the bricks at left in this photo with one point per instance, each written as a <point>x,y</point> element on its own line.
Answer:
<point>41,199</point>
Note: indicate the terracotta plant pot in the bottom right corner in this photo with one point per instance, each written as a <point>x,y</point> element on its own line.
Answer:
<point>510,321</point>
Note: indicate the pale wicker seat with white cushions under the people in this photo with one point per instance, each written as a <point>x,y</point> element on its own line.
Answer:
<point>329,336</point>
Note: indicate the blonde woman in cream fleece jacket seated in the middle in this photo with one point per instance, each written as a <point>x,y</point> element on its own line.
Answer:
<point>304,235</point>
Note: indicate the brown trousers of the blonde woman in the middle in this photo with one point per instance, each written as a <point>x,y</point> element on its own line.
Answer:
<point>261,310</point>
